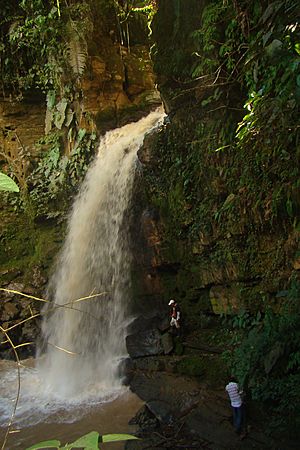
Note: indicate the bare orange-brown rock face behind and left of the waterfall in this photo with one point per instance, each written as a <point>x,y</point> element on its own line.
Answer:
<point>117,87</point>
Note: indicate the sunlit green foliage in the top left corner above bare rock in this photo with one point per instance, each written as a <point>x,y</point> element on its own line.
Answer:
<point>40,42</point>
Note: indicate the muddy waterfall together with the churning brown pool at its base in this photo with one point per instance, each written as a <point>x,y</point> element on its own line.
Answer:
<point>74,386</point>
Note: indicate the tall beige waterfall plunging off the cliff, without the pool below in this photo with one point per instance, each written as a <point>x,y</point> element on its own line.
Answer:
<point>86,339</point>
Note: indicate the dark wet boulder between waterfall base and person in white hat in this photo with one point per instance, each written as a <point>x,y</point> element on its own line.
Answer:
<point>144,343</point>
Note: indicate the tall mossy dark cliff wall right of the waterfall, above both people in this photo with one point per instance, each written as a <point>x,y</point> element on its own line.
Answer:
<point>223,209</point>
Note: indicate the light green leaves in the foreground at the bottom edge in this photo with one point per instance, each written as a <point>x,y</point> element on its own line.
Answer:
<point>88,441</point>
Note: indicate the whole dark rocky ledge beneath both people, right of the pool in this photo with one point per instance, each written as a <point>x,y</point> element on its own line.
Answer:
<point>186,405</point>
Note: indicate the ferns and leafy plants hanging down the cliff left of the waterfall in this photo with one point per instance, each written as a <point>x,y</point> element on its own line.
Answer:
<point>44,52</point>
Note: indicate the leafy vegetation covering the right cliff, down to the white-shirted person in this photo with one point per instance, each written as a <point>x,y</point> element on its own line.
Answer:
<point>226,176</point>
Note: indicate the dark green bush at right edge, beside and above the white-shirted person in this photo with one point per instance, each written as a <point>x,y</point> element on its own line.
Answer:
<point>266,359</point>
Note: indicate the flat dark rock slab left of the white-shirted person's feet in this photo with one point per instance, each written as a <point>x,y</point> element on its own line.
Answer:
<point>204,413</point>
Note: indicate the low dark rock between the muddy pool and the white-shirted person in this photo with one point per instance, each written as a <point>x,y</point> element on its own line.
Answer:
<point>188,414</point>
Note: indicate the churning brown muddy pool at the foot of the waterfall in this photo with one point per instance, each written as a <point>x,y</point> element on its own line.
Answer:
<point>40,418</point>
